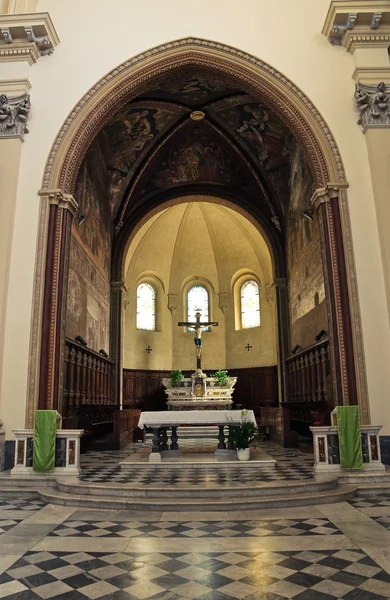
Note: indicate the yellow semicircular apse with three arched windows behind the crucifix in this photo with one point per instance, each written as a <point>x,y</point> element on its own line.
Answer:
<point>199,252</point>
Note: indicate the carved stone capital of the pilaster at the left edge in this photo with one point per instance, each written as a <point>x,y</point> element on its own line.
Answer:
<point>14,113</point>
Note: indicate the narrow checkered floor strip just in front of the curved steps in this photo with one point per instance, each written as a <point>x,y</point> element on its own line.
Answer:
<point>196,529</point>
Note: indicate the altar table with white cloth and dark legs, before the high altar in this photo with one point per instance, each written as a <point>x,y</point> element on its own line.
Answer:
<point>159,422</point>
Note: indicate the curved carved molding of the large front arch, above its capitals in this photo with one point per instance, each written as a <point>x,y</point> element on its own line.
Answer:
<point>133,76</point>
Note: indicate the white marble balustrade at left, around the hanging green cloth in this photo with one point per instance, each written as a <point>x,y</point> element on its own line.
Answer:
<point>67,458</point>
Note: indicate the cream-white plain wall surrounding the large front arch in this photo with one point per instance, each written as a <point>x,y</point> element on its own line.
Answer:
<point>95,37</point>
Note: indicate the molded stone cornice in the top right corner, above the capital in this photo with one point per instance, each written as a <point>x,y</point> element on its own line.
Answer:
<point>353,23</point>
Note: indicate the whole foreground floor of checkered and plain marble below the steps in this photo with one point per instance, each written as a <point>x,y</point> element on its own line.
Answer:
<point>301,553</point>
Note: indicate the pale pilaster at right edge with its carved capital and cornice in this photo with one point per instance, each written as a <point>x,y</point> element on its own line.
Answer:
<point>362,28</point>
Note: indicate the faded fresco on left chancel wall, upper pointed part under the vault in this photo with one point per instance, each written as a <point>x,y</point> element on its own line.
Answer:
<point>95,233</point>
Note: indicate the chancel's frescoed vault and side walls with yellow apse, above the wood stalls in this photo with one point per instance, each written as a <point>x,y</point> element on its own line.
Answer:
<point>192,135</point>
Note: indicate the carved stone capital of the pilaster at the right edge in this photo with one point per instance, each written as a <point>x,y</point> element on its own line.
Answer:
<point>372,103</point>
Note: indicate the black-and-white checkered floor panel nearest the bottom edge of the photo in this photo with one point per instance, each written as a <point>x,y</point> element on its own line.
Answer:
<point>303,575</point>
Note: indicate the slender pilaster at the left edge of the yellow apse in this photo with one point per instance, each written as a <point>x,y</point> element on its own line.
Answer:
<point>116,339</point>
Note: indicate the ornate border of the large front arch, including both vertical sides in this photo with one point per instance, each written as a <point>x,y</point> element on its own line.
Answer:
<point>125,82</point>
